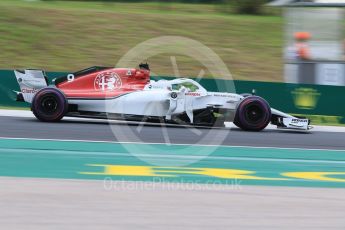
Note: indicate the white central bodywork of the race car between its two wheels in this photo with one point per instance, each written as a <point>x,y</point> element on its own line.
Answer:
<point>158,99</point>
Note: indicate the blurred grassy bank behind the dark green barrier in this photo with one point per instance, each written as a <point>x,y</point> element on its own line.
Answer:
<point>68,36</point>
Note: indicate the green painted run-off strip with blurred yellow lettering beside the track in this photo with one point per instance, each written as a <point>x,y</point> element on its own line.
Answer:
<point>173,163</point>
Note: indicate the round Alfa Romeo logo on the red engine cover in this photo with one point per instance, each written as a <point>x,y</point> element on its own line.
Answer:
<point>107,81</point>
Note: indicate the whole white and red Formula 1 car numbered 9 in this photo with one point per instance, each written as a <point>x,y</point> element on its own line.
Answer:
<point>129,94</point>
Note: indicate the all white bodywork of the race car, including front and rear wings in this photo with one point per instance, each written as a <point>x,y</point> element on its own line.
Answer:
<point>158,99</point>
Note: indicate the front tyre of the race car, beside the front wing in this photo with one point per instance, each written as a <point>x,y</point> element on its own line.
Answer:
<point>253,114</point>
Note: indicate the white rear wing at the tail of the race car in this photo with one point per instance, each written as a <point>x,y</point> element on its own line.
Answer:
<point>30,82</point>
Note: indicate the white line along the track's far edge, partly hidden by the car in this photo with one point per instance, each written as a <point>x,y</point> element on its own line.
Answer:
<point>28,114</point>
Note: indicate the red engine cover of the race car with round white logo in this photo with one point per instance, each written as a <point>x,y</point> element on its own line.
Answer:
<point>107,83</point>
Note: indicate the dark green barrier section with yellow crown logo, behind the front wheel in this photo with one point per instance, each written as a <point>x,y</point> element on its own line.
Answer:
<point>322,104</point>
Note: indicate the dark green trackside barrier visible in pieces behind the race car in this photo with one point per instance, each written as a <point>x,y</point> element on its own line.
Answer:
<point>323,104</point>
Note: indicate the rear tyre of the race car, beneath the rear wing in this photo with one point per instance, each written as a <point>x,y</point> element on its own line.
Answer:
<point>49,104</point>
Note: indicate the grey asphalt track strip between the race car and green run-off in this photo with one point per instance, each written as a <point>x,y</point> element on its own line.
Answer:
<point>95,130</point>
